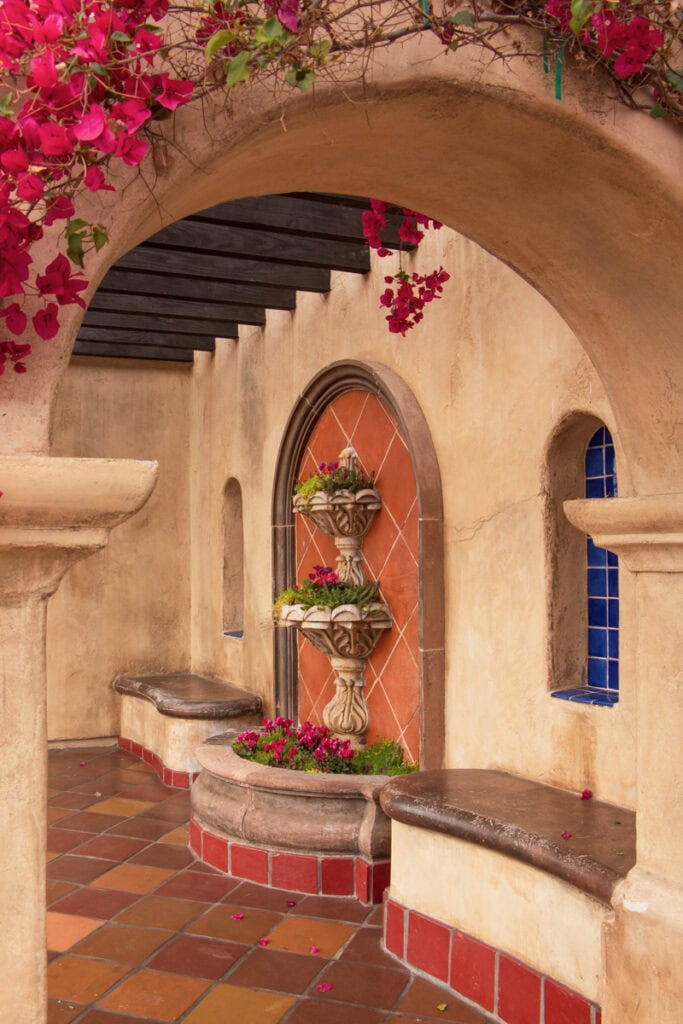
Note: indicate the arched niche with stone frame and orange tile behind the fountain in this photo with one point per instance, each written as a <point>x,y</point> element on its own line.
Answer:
<point>370,408</point>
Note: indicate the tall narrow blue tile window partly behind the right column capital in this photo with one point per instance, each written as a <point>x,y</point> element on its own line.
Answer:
<point>603,573</point>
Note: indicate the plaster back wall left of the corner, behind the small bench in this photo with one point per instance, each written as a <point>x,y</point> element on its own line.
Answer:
<point>127,609</point>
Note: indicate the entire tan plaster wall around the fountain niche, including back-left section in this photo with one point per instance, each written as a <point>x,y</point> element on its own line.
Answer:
<point>495,371</point>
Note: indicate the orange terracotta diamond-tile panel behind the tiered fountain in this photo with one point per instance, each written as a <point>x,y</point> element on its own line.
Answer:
<point>391,554</point>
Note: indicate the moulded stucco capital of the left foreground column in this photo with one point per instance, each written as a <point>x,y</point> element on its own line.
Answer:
<point>56,511</point>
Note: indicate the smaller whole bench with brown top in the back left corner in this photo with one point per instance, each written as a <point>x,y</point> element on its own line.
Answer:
<point>164,718</point>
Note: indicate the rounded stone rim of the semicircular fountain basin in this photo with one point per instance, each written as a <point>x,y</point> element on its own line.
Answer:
<point>224,762</point>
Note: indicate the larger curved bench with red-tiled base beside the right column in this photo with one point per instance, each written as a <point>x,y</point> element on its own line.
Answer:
<point>500,883</point>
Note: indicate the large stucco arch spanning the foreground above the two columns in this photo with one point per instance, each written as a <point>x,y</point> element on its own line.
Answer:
<point>585,206</point>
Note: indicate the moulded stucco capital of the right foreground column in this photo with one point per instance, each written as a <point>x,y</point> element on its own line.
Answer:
<point>646,533</point>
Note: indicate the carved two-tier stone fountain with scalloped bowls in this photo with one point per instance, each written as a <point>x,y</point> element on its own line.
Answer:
<point>348,634</point>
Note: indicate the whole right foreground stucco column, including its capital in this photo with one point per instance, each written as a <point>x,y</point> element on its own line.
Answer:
<point>644,946</point>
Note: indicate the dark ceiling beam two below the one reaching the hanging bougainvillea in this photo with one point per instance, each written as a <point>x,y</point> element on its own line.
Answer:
<point>136,283</point>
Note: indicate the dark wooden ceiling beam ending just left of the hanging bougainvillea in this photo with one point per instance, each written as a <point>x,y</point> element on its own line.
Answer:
<point>273,247</point>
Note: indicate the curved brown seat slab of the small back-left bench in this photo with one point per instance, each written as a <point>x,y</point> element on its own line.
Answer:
<point>184,695</point>
